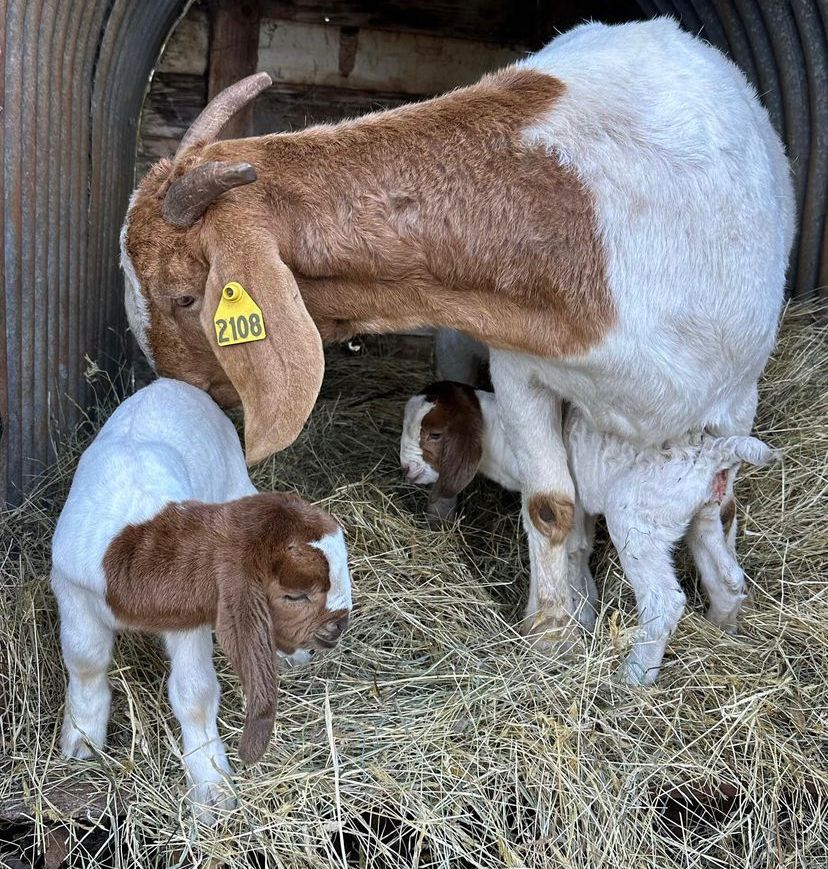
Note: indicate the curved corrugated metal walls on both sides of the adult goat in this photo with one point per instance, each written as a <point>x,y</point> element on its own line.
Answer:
<point>75,72</point>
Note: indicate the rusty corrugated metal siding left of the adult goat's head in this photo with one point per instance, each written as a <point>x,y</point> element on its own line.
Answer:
<point>74,75</point>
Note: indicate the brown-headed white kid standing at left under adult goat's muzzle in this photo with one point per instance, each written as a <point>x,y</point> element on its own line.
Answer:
<point>163,531</point>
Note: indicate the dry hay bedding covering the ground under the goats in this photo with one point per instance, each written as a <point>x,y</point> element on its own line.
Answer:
<point>435,736</point>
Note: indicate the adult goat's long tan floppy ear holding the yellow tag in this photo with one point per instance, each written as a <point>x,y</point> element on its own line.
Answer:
<point>278,378</point>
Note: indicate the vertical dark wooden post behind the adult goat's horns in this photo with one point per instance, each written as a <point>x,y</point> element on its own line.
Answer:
<point>234,54</point>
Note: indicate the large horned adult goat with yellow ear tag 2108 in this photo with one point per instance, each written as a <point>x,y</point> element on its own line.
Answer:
<point>611,215</point>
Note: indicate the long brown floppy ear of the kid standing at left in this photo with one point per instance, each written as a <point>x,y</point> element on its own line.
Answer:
<point>245,631</point>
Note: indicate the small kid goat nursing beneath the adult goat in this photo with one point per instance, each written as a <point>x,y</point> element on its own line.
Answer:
<point>649,497</point>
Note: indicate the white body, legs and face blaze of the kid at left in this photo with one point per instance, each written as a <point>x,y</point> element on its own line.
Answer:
<point>167,444</point>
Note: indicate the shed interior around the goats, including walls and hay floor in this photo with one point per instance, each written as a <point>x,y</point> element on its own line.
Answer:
<point>450,735</point>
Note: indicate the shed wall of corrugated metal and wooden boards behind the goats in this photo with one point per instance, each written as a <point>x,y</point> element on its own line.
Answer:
<point>75,76</point>
